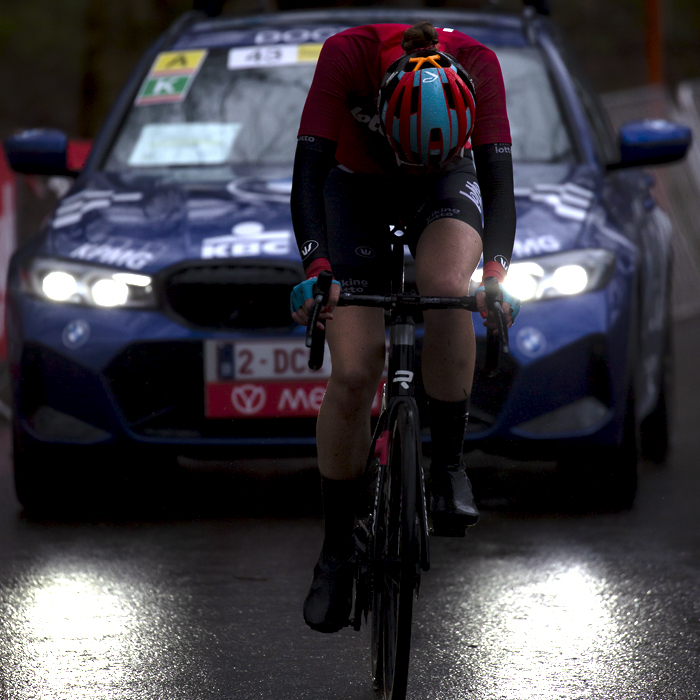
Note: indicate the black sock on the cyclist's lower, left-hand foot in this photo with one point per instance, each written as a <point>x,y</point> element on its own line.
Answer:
<point>340,501</point>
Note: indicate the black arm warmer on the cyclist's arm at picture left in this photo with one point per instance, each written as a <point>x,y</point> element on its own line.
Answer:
<point>313,160</point>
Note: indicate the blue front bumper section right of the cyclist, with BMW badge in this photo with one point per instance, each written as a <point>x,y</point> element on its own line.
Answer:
<point>565,383</point>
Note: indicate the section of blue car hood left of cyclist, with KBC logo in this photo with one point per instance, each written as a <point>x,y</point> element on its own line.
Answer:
<point>148,225</point>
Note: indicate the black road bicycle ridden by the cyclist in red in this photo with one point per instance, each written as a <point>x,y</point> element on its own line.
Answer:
<point>391,538</point>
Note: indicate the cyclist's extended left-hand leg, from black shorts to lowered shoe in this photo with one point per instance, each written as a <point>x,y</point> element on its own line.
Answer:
<point>356,341</point>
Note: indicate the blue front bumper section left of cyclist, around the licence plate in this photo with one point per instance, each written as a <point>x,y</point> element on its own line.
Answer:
<point>128,377</point>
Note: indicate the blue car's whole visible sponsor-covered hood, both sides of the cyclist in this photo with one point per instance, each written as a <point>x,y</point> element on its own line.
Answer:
<point>148,225</point>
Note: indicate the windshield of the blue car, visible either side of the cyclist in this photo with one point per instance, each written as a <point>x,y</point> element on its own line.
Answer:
<point>212,112</point>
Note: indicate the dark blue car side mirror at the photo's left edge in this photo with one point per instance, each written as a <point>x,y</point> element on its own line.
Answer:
<point>38,152</point>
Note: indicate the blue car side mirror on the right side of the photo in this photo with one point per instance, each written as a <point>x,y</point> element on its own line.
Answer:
<point>652,142</point>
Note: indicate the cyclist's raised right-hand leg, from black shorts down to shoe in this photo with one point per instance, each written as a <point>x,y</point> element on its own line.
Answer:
<point>447,253</point>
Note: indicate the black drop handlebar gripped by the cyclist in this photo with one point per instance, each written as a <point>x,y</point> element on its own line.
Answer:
<point>496,340</point>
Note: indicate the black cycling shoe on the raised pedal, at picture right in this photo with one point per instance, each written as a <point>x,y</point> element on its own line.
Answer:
<point>453,506</point>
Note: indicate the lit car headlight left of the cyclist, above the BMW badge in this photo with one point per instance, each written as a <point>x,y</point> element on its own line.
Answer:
<point>77,283</point>
